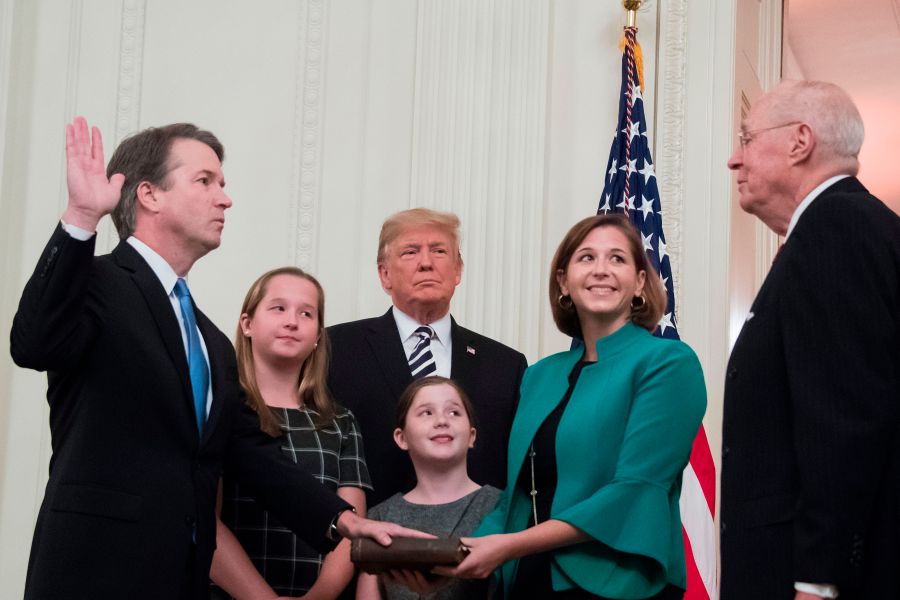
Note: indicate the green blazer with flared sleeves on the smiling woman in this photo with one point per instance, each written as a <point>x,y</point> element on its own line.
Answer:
<point>621,447</point>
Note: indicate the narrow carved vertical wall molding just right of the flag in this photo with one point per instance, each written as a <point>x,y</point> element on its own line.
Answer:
<point>671,97</point>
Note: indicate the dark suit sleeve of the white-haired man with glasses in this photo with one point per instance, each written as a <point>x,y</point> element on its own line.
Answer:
<point>839,319</point>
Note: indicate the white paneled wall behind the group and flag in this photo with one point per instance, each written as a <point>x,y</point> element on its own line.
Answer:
<point>336,113</point>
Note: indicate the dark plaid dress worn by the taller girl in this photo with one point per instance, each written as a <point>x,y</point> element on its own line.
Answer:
<point>334,454</point>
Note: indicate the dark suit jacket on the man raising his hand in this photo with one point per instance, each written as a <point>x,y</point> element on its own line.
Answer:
<point>132,484</point>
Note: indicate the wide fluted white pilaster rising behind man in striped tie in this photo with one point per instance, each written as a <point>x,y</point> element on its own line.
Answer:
<point>478,149</point>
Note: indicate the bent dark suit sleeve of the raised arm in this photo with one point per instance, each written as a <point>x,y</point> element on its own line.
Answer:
<point>54,322</point>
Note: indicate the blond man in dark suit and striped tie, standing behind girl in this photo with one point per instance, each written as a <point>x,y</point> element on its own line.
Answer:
<point>373,360</point>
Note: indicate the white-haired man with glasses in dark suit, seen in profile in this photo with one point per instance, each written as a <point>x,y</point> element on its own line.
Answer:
<point>811,434</point>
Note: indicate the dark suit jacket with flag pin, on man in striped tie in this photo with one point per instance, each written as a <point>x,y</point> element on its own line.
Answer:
<point>369,372</point>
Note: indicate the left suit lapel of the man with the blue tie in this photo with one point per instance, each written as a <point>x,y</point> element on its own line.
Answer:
<point>164,317</point>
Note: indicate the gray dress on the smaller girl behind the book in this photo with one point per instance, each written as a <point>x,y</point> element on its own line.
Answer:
<point>457,518</point>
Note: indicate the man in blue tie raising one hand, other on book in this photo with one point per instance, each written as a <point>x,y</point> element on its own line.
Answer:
<point>145,406</point>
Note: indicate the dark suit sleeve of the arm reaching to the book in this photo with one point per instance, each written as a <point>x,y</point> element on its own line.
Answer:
<point>297,498</point>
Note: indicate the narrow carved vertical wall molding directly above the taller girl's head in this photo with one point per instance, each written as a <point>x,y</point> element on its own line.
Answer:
<point>308,129</point>
